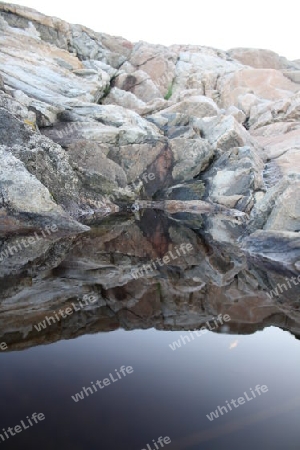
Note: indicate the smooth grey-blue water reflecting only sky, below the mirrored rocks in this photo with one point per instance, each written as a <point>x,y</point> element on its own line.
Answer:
<point>167,392</point>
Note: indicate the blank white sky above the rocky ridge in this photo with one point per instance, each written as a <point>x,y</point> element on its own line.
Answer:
<point>222,24</point>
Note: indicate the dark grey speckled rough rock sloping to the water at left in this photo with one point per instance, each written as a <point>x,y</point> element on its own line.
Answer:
<point>48,164</point>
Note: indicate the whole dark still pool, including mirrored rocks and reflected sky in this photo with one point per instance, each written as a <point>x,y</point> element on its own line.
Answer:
<point>134,323</point>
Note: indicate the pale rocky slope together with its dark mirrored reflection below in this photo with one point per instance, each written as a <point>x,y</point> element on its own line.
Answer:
<point>86,118</point>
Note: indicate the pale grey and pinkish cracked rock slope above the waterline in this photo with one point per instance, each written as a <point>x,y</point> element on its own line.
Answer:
<point>89,122</point>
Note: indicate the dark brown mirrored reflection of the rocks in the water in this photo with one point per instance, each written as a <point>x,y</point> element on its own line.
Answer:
<point>215,278</point>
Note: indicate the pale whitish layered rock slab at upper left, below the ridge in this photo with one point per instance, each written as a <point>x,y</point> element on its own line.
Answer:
<point>60,83</point>
